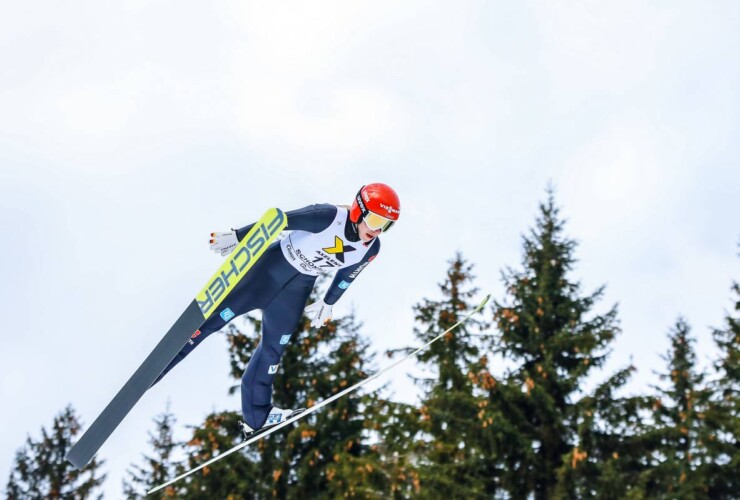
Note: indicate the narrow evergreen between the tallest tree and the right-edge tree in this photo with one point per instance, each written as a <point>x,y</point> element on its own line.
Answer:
<point>678,461</point>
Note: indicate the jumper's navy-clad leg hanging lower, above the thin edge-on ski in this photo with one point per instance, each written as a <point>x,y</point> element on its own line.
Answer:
<point>279,321</point>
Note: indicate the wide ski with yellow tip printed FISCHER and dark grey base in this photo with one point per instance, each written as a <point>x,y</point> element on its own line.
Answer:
<point>238,263</point>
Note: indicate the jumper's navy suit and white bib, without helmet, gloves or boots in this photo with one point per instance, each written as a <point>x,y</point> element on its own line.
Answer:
<point>322,240</point>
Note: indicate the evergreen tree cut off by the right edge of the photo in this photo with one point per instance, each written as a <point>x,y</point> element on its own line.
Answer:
<point>723,415</point>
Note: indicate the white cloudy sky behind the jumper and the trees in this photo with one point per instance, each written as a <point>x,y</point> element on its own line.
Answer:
<point>130,130</point>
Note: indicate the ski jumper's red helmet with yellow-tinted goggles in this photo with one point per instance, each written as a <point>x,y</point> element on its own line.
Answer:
<point>377,204</point>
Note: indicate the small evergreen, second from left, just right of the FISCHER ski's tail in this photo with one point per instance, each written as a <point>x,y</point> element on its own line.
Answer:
<point>159,467</point>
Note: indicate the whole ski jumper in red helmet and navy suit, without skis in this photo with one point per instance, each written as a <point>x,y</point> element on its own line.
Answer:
<point>323,238</point>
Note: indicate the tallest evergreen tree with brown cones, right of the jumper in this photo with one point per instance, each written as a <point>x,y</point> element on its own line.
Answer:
<point>552,440</point>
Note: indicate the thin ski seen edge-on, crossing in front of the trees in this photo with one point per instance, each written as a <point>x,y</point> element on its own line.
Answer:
<point>321,404</point>
